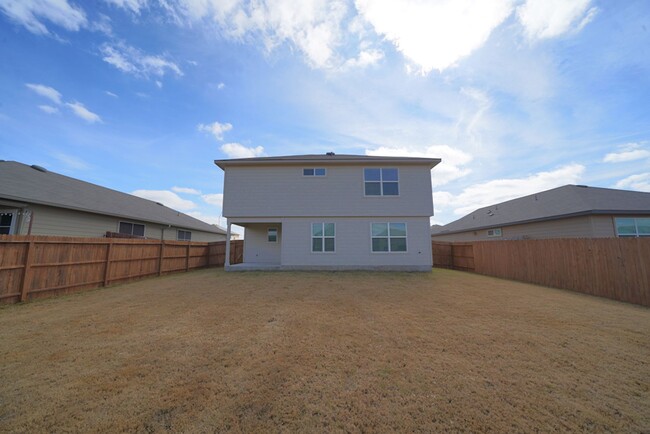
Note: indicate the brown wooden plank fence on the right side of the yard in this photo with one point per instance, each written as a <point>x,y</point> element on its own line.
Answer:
<point>616,268</point>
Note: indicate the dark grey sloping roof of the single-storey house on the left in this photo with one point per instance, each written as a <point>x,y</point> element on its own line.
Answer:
<point>33,184</point>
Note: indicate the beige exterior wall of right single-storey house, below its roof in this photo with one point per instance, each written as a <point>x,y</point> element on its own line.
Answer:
<point>572,227</point>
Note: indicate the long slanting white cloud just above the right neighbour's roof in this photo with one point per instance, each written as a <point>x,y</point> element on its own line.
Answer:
<point>500,190</point>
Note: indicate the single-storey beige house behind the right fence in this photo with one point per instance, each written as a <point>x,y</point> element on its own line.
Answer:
<point>571,211</point>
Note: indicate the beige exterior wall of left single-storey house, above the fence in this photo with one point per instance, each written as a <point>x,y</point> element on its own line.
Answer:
<point>63,222</point>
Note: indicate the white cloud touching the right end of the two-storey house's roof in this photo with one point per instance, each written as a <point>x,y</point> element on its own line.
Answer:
<point>449,169</point>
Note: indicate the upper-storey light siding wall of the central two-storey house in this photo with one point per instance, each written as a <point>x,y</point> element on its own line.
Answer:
<point>283,191</point>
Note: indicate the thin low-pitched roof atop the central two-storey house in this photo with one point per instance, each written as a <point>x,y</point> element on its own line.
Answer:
<point>330,157</point>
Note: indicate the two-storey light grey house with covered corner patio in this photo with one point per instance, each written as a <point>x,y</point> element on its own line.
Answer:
<point>331,211</point>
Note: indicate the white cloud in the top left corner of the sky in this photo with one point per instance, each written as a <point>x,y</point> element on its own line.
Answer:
<point>32,13</point>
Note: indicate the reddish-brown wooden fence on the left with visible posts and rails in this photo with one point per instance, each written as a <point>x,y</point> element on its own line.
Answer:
<point>35,266</point>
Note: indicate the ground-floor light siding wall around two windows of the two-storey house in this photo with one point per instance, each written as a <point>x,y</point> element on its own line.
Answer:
<point>353,244</point>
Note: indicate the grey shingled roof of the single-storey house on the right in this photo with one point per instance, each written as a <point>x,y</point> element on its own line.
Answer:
<point>566,201</point>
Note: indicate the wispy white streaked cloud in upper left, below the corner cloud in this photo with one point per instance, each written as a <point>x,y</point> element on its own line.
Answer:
<point>133,61</point>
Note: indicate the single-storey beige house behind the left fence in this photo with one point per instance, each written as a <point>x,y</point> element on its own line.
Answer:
<point>36,201</point>
